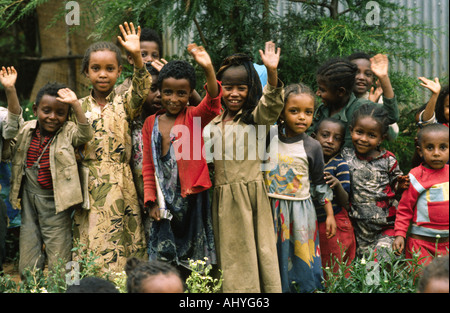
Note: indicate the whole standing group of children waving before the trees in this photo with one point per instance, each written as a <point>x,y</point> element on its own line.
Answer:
<point>124,170</point>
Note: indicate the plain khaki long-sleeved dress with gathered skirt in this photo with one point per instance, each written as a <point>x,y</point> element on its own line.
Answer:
<point>242,217</point>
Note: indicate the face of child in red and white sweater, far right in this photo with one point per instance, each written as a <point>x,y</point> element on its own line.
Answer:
<point>434,149</point>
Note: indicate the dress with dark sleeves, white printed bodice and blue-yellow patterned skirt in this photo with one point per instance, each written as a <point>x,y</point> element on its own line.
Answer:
<point>292,180</point>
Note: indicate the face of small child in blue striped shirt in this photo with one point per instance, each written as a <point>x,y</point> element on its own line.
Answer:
<point>331,136</point>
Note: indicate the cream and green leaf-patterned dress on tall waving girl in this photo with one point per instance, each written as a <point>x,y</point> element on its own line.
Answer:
<point>112,227</point>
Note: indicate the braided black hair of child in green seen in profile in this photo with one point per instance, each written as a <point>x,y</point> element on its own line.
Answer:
<point>337,73</point>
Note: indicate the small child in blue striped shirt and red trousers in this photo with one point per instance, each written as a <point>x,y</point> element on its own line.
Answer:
<point>330,134</point>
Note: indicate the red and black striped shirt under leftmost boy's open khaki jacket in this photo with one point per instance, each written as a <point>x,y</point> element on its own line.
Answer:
<point>34,151</point>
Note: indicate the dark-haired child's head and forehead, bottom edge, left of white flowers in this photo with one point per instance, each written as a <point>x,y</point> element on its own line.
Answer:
<point>152,277</point>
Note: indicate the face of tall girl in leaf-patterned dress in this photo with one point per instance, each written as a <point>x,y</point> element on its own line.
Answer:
<point>103,70</point>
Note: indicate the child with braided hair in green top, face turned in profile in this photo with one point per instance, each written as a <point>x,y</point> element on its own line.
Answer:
<point>336,80</point>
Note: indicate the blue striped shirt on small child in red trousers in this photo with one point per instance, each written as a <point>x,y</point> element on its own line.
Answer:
<point>337,167</point>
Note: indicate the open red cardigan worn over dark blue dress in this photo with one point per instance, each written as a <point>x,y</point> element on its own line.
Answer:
<point>192,167</point>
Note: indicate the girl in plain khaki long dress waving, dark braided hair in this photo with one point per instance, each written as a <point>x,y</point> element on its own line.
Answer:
<point>243,225</point>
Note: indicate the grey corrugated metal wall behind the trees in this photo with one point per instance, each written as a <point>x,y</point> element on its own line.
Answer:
<point>434,12</point>
